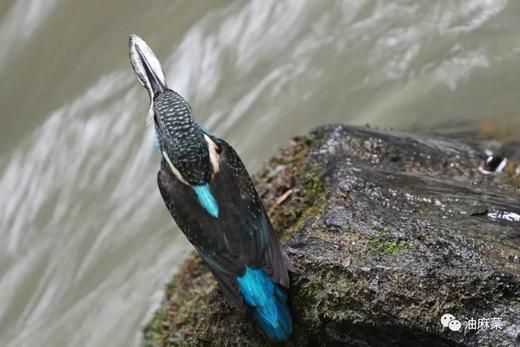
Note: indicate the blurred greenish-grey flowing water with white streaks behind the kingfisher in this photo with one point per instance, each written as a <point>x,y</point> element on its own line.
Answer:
<point>86,242</point>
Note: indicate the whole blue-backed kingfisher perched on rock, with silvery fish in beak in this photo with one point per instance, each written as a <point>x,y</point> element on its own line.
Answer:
<point>211,197</point>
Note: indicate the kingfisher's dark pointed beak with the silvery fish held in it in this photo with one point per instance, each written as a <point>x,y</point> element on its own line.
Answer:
<point>147,69</point>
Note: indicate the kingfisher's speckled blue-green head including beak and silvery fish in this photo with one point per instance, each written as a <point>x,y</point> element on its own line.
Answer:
<point>189,151</point>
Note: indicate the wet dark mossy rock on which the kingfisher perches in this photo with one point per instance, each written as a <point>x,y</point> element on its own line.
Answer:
<point>388,232</point>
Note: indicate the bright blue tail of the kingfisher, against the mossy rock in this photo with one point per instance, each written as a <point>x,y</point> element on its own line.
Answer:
<point>269,302</point>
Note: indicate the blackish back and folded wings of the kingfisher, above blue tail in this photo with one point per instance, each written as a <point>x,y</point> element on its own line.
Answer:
<point>242,232</point>
